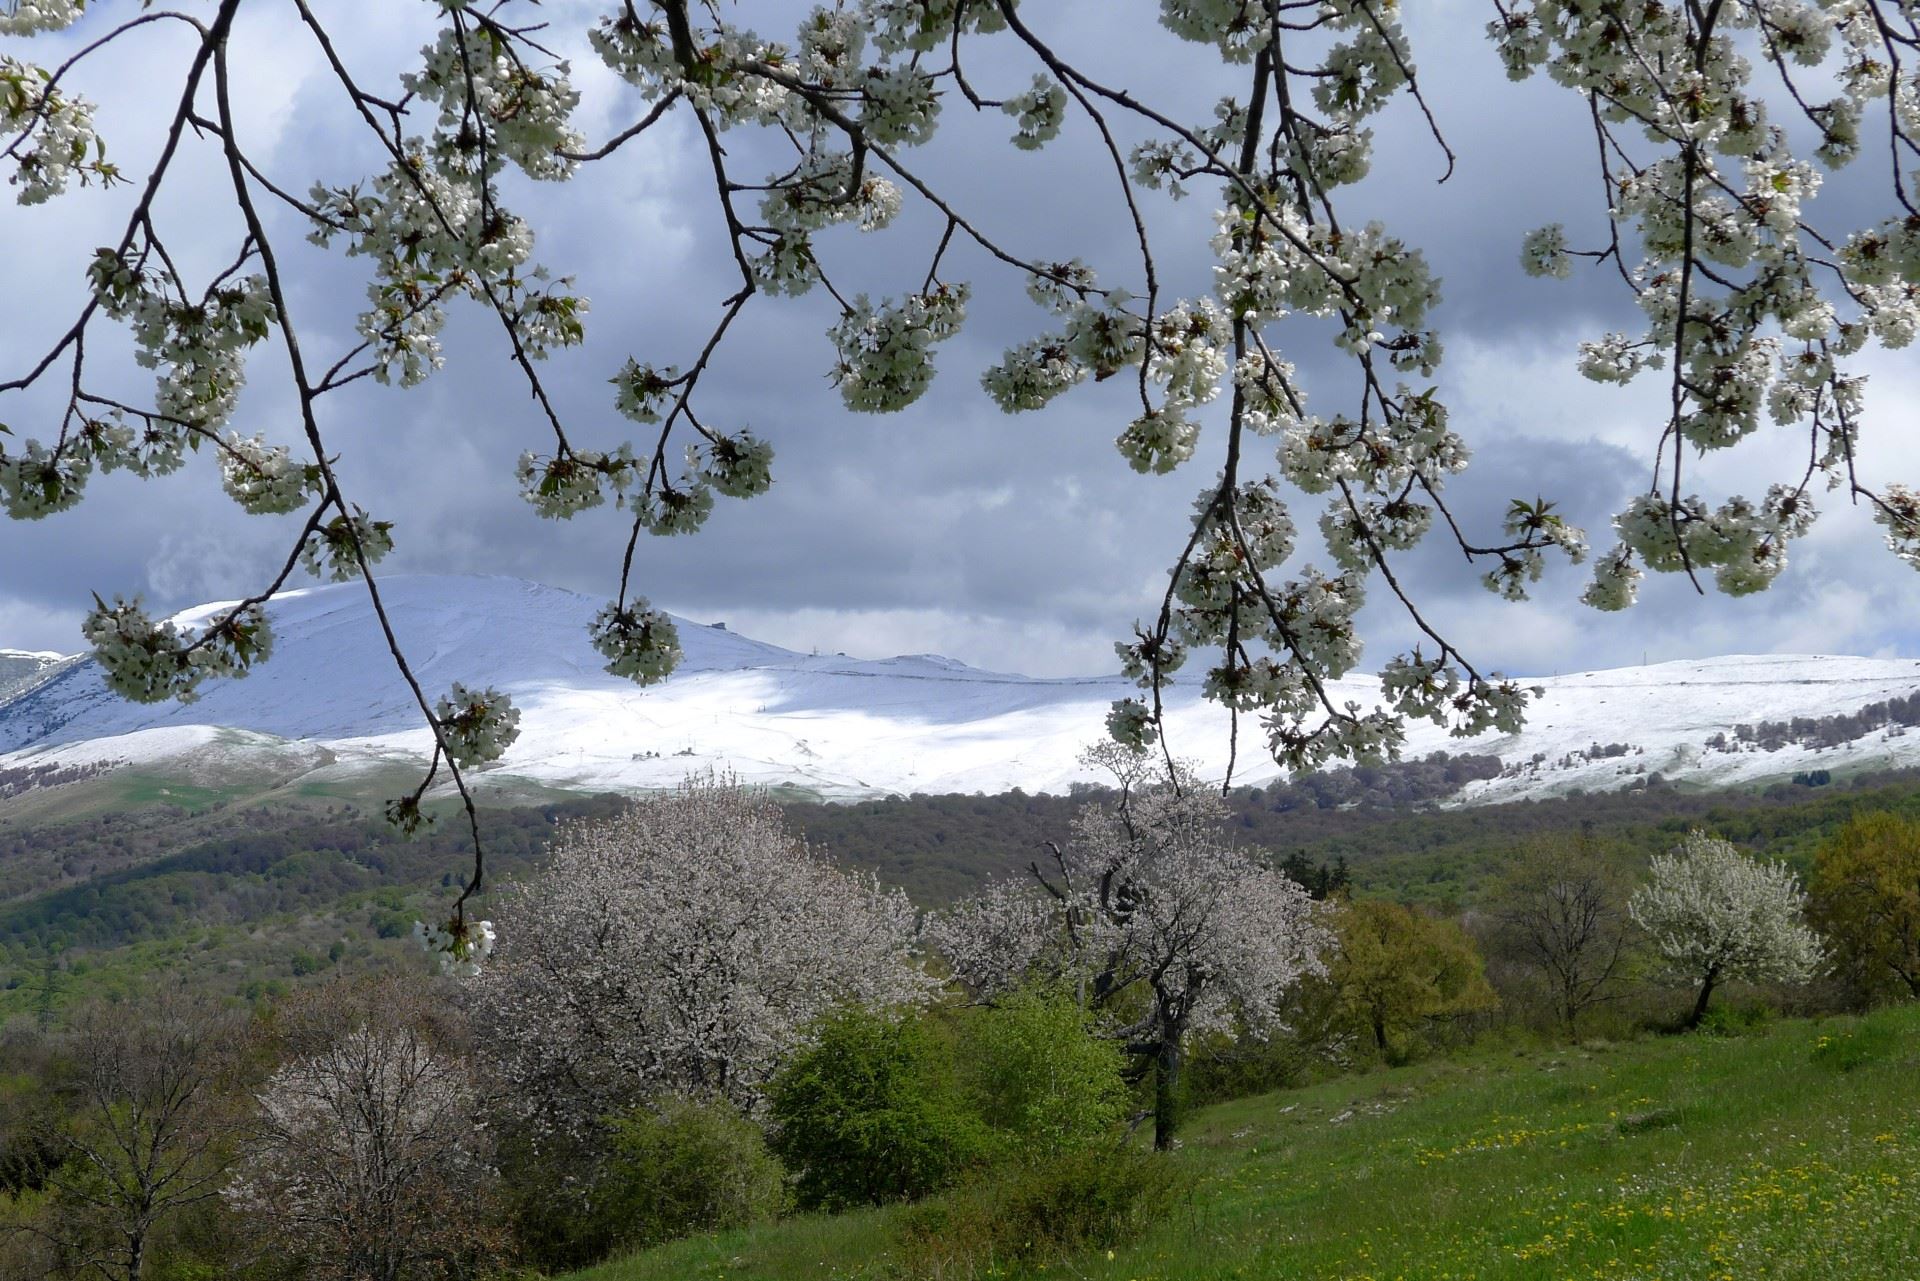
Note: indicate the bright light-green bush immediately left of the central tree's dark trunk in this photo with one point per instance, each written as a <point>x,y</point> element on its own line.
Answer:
<point>1044,1082</point>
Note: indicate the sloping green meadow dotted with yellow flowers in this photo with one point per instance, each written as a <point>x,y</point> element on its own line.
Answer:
<point>1792,1151</point>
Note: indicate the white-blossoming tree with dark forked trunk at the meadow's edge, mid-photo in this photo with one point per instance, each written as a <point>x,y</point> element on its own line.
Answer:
<point>1161,923</point>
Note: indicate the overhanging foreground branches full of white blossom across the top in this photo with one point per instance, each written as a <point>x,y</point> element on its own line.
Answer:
<point>1714,124</point>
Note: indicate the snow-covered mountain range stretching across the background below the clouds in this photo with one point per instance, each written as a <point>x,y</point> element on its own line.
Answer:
<point>331,710</point>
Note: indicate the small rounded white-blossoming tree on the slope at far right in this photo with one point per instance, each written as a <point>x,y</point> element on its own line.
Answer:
<point>1721,917</point>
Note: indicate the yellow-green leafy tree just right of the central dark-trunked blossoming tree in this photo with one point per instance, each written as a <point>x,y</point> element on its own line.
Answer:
<point>1399,969</point>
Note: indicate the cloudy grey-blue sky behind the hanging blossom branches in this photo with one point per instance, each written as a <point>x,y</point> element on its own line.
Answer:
<point>1013,543</point>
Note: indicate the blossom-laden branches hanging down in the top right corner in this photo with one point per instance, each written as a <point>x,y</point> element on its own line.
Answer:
<point>1748,306</point>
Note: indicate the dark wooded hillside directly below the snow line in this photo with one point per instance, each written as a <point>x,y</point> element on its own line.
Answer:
<point>247,900</point>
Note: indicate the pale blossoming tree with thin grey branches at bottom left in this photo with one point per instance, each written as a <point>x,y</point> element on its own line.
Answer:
<point>370,1159</point>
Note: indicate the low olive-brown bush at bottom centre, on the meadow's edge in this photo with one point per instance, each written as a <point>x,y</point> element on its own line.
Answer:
<point>1044,1211</point>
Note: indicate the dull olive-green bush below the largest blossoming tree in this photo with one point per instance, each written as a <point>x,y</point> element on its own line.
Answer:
<point>686,1167</point>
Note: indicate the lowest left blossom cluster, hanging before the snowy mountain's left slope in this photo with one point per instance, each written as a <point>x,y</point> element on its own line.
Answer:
<point>153,662</point>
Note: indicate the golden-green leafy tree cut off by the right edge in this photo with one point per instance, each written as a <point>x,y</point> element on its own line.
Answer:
<point>1867,900</point>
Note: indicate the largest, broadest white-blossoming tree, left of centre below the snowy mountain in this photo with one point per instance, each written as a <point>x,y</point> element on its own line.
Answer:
<point>681,948</point>
